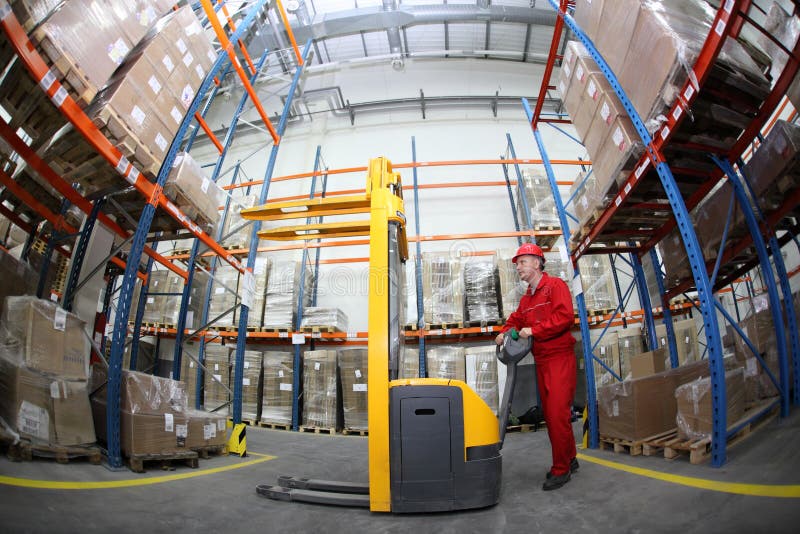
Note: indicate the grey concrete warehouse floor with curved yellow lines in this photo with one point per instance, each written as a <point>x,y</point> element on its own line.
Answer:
<point>602,497</point>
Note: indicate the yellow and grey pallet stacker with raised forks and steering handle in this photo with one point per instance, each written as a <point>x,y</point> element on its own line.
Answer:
<point>434,445</point>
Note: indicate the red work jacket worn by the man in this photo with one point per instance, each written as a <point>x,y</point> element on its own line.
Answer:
<point>548,312</point>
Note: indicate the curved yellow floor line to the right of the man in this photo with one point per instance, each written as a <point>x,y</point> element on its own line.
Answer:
<point>758,490</point>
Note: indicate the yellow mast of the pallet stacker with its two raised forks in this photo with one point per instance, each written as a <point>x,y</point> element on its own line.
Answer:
<point>388,248</point>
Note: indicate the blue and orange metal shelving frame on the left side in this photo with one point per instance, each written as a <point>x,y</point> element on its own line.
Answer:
<point>152,192</point>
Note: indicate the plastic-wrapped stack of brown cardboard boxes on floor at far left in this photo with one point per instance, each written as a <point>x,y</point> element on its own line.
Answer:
<point>44,365</point>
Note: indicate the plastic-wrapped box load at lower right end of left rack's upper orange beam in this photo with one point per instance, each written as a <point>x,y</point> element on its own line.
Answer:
<point>196,195</point>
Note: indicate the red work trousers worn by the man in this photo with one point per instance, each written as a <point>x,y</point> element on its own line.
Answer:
<point>556,376</point>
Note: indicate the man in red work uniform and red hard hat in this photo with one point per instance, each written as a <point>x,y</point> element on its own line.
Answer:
<point>545,313</point>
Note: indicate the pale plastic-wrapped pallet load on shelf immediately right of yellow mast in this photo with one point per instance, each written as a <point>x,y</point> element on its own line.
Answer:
<point>443,288</point>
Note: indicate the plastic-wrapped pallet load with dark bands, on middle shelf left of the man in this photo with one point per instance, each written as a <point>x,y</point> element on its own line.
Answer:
<point>481,294</point>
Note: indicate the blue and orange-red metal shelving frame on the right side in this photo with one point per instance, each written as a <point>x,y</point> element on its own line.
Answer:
<point>730,17</point>
